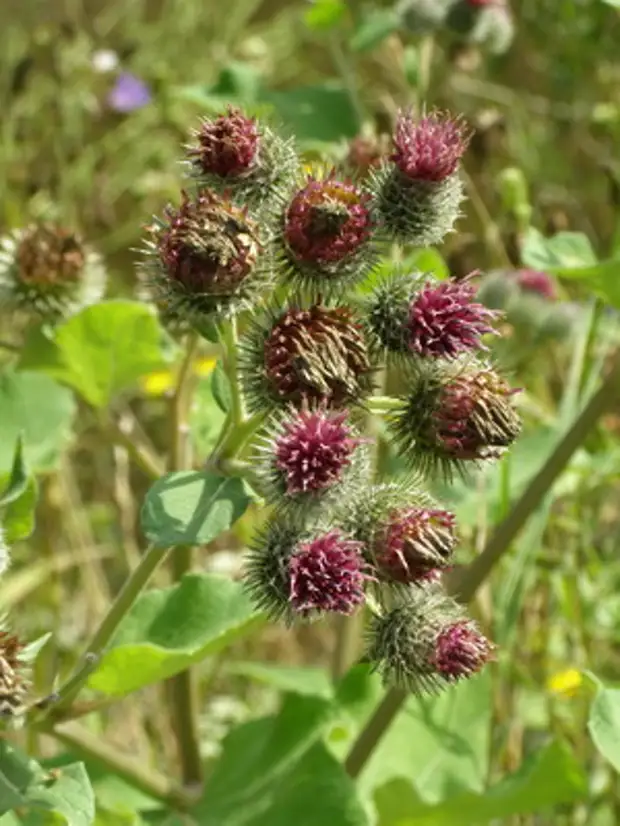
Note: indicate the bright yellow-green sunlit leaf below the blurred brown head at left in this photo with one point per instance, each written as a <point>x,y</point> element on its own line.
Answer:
<point>101,350</point>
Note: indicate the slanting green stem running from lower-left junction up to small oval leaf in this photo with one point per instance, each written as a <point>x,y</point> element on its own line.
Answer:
<point>102,636</point>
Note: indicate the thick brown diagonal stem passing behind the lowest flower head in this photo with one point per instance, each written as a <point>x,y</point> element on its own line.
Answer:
<point>472,578</point>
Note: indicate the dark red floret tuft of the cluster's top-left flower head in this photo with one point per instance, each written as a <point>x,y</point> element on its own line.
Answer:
<point>227,146</point>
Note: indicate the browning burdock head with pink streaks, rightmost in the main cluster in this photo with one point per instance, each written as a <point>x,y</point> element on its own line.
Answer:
<point>452,417</point>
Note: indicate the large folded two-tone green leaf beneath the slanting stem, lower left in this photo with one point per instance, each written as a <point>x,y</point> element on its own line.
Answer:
<point>169,629</point>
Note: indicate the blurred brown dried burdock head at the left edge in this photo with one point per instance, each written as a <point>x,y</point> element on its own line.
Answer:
<point>47,271</point>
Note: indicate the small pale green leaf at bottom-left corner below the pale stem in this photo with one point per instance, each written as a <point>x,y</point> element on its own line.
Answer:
<point>67,793</point>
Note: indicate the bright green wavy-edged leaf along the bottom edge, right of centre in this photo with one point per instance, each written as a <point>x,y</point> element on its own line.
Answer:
<point>550,777</point>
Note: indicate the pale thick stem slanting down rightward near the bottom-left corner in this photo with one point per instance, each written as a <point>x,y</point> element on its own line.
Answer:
<point>133,771</point>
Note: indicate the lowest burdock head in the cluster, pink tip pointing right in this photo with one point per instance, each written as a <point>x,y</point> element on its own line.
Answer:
<point>425,643</point>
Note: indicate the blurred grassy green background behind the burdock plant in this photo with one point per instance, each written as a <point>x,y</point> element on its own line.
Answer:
<point>548,111</point>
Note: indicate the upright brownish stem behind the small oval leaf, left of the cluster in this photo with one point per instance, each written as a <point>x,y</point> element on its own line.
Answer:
<point>182,687</point>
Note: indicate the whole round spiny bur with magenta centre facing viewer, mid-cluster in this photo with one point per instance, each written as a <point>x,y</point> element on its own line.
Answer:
<point>312,457</point>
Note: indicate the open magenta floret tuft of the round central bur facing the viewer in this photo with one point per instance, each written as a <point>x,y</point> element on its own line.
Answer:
<point>313,450</point>
